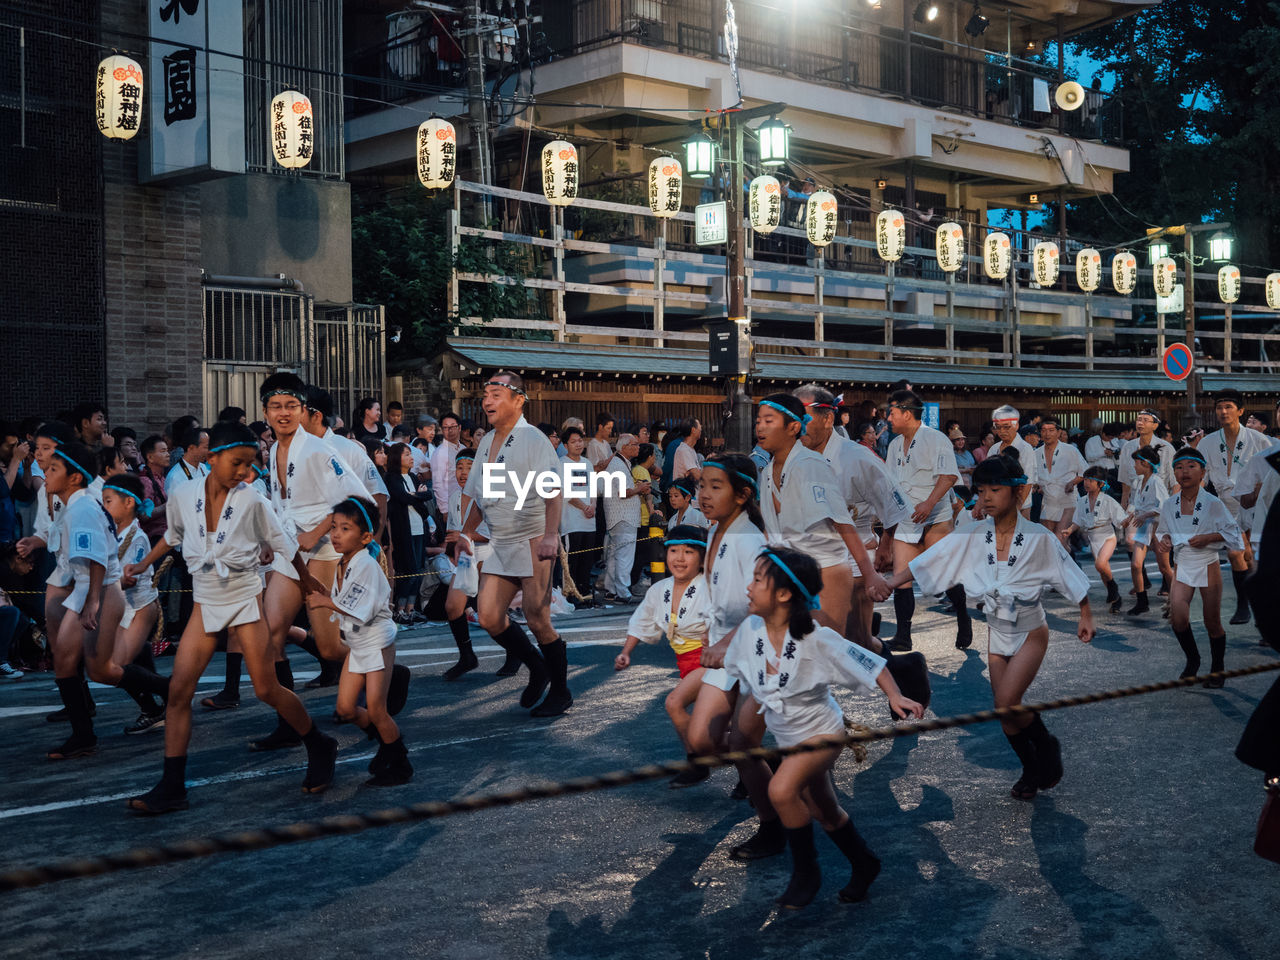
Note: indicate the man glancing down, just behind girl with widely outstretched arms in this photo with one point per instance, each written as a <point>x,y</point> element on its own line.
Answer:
<point>924,463</point>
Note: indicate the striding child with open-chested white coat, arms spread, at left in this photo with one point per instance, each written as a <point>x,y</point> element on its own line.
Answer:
<point>222,525</point>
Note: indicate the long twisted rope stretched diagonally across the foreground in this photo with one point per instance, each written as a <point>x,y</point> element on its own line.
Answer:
<point>348,825</point>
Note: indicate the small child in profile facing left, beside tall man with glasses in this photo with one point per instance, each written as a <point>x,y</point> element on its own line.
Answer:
<point>362,604</point>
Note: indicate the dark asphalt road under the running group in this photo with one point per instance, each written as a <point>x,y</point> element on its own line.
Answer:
<point>1142,852</point>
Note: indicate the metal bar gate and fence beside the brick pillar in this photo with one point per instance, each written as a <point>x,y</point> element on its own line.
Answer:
<point>252,335</point>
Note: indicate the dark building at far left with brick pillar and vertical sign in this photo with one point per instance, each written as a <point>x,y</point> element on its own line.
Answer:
<point>170,273</point>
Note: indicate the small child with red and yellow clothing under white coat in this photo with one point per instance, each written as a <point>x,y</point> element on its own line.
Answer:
<point>679,609</point>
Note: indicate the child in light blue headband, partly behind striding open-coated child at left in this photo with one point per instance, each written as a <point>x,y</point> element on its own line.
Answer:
<point>124,499</point>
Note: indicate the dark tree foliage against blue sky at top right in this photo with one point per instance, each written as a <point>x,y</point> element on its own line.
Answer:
<point>1196,80</point>
